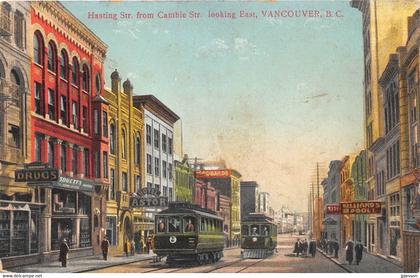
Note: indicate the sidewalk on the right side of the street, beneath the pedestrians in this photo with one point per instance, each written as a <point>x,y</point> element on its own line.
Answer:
<point>369,264</point>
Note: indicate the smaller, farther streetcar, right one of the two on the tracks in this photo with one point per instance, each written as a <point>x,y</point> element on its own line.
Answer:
<point>258,236</point>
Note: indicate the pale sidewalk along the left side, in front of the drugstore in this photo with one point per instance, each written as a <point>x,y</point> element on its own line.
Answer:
<point>82,264</point>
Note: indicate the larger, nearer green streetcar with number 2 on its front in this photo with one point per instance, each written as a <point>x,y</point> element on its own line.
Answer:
<point>186,232</point>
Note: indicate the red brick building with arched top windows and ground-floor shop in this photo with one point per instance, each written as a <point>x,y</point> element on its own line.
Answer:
<point>69,129</point>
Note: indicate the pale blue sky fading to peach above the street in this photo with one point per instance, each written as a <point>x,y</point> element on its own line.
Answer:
<point>270,96</point>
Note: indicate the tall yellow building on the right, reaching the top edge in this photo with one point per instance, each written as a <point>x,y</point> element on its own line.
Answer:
<point>384,26</point>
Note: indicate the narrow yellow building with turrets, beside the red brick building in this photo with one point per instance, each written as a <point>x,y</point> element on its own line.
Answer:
<point>125,166</point>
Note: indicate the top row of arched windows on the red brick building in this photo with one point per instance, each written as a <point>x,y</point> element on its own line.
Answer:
<point>52,64</point>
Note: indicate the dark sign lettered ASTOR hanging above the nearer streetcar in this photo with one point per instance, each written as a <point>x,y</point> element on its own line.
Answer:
<point>148,197</point>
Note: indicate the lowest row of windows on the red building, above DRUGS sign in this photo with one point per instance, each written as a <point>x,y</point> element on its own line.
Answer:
<point>52,156</point>
